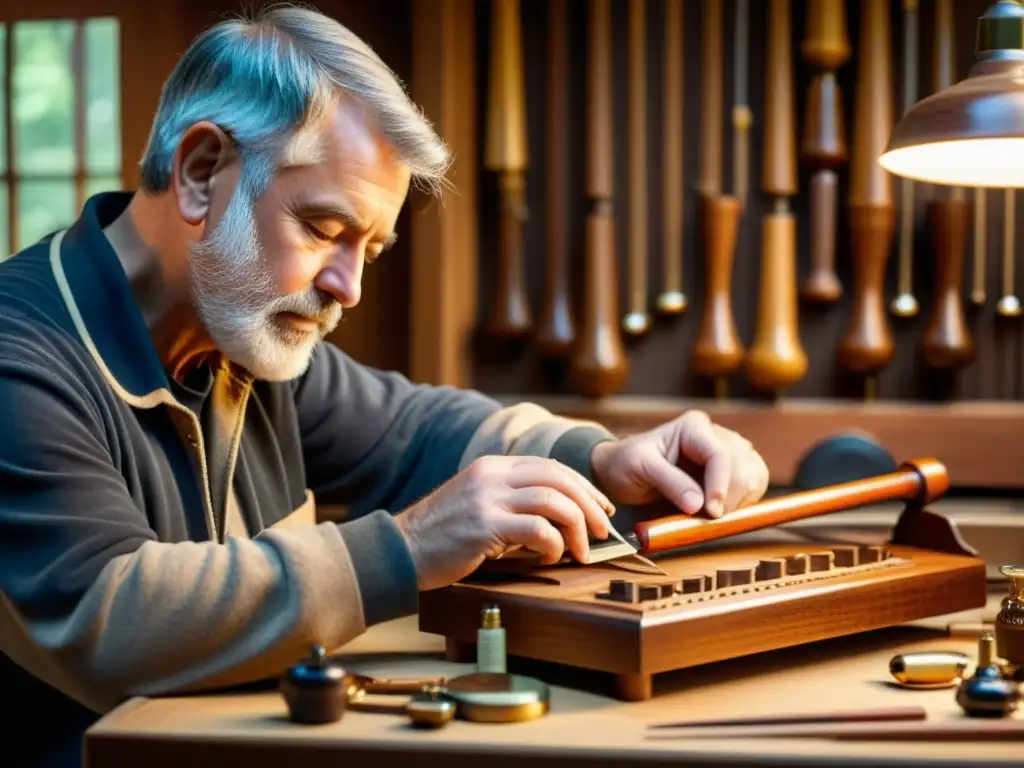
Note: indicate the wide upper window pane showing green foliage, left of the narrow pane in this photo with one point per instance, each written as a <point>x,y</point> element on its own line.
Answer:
<point>44,100</point>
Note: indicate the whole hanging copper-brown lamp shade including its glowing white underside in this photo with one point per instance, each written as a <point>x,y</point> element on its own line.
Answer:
<point>972,134</point>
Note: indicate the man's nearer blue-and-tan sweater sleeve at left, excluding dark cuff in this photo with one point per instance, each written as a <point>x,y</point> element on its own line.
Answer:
<point>95,606</point>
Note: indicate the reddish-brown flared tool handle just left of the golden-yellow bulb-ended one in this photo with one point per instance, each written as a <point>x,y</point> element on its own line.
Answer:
<point>717,351</point>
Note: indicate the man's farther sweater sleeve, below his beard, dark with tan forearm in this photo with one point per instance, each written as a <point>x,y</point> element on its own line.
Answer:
<point>374,440</point>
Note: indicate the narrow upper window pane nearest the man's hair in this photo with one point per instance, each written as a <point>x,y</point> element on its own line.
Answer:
<point>103,92</point>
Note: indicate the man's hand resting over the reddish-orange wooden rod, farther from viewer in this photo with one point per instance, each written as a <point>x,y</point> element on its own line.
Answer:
<point>664,462</point>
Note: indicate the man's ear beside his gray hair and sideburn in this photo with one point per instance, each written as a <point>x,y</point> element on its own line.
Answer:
<point>204,152</point>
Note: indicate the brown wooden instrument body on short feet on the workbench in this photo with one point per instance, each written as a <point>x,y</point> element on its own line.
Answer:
<point>559,615</point>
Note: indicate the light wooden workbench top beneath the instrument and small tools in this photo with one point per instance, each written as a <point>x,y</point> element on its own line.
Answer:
<point>584,728</point>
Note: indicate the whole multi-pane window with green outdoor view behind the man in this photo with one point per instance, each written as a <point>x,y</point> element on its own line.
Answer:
<point>60,123</point>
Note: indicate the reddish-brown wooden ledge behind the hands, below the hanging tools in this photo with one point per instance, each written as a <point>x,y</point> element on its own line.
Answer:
<point>979,443</point>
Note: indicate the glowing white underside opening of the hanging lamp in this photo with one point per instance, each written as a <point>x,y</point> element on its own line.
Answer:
<point>980,162</point>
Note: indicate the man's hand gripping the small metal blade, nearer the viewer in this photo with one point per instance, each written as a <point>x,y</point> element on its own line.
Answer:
<point>501,502</point>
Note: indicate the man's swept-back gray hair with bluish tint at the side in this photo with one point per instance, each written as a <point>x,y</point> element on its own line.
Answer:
<point>266,78</point>
